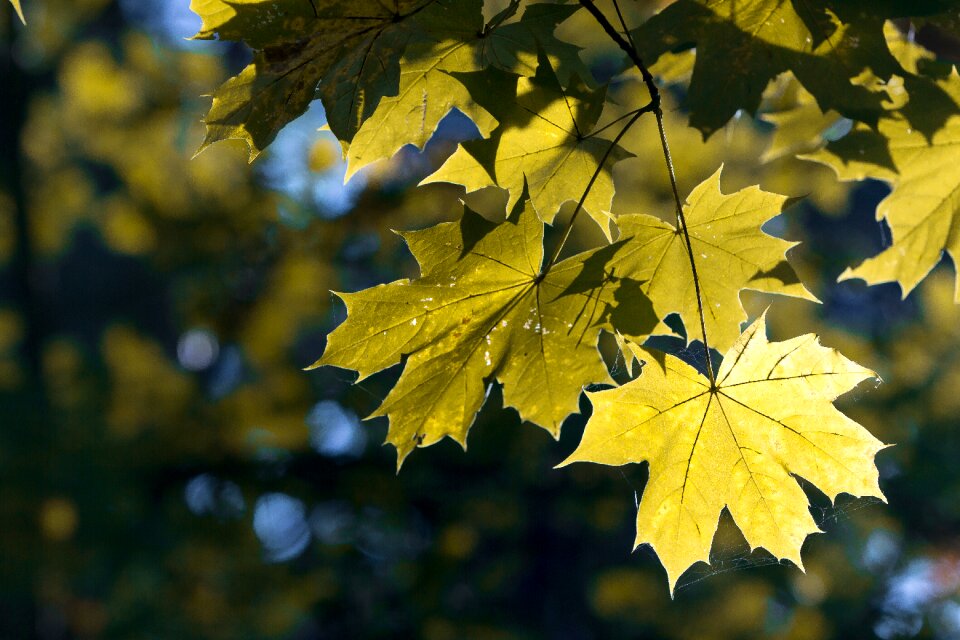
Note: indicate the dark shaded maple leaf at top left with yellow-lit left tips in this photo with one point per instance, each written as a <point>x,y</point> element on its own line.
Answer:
<point>348,52</point>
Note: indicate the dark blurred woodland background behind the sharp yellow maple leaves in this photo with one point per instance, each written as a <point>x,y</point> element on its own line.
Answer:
<point>167,470</point>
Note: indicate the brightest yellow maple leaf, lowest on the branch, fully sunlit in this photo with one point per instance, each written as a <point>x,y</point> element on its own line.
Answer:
<point>737,444</point>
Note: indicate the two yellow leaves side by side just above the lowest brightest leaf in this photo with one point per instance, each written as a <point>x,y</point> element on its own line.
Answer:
<point>486,306</point>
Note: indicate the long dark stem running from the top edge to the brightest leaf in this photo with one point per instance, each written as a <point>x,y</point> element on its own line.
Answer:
<point>654,92</point>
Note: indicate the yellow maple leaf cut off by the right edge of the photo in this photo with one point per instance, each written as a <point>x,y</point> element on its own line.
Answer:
<point>923,210</point>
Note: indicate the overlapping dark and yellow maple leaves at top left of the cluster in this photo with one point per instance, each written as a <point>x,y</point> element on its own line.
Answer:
<point>381,69</point>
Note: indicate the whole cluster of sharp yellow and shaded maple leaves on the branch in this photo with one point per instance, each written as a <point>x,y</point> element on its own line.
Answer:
<point>493,305</point>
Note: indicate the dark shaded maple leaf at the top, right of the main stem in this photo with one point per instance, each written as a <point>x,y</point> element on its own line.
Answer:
<point>742,45</point>
